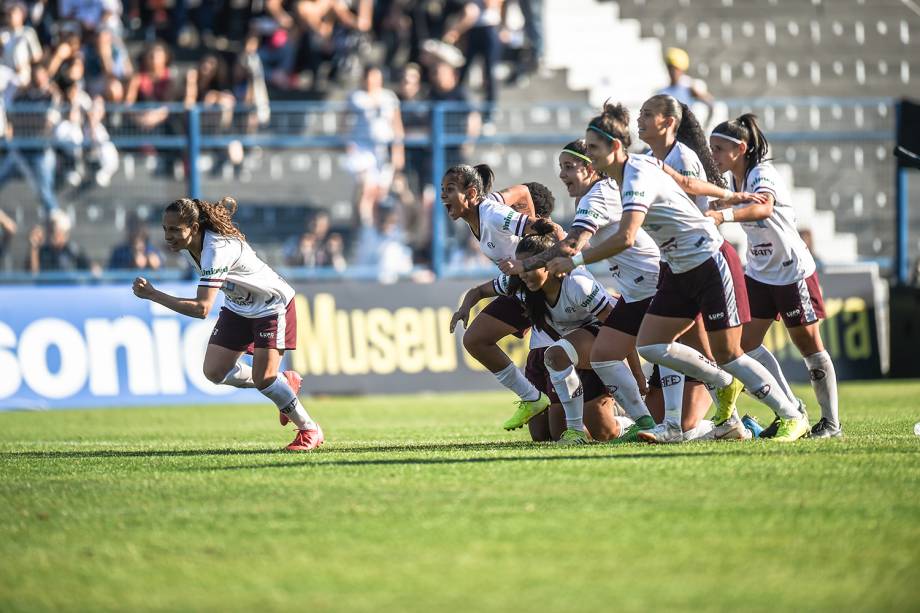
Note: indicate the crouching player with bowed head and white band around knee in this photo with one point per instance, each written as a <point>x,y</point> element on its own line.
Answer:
<point>568,310</point>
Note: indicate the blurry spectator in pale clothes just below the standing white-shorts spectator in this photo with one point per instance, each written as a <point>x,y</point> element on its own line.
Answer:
<point>381,246</point>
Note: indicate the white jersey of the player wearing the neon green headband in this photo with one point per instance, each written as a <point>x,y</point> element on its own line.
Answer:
<point>635,271</point>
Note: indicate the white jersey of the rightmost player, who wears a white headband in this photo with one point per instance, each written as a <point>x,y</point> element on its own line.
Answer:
<point>777,255</point>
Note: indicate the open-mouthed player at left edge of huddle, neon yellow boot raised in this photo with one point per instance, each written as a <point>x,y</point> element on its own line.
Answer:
<point>465,192</point>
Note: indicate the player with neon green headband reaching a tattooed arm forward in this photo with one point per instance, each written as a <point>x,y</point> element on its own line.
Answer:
<point>635,277</point>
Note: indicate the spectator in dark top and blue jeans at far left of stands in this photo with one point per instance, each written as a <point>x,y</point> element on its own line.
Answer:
<point>35,165</point>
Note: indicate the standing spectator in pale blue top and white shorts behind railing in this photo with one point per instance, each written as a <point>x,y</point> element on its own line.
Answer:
<point>375,150</point>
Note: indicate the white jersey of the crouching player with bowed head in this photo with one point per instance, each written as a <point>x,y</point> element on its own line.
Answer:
<point>581,299</point>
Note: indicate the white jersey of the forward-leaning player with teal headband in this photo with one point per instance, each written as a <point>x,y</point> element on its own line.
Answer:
<point>684,236</point>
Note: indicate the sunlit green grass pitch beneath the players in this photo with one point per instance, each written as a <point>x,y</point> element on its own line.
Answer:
<point>422,504</point>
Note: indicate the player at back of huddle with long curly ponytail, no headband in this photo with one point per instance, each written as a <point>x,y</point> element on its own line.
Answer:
<point>675,137</point>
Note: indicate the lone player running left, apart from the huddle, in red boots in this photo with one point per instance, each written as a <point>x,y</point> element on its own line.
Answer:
<point>258,313</point>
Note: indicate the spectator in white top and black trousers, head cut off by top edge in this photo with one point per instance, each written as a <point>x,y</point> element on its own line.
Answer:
<point>480,22</point>
